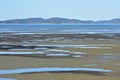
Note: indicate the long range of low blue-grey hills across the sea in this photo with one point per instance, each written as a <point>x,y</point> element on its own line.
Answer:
<point>58,20</point>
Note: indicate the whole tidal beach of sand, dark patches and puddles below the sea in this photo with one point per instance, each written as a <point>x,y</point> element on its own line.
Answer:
<point>24,51</point>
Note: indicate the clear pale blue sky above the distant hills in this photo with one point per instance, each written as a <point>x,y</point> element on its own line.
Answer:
<point>73,9</point>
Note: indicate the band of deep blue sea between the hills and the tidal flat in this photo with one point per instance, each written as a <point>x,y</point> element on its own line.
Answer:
<point>60,28</point>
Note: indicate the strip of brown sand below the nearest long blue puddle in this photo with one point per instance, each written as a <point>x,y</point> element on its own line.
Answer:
<point>61,76</point>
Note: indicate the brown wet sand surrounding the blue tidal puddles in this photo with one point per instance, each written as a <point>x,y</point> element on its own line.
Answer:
<point>94,58</point>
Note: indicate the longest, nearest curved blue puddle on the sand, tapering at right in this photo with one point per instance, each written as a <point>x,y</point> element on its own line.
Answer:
<point>55,69</point>
